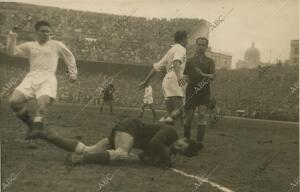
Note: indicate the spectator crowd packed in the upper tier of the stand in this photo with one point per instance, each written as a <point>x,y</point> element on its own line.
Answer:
<point>99,37</point>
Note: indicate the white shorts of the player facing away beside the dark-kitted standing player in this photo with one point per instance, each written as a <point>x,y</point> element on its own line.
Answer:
<point>171,88</point>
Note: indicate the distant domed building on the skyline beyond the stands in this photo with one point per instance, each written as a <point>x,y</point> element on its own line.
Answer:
<point>251,58</point>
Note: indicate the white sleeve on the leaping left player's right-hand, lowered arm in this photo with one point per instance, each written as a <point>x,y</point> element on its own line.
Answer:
<point>69,59</point>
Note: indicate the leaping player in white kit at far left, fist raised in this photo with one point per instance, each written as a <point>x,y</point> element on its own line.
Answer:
<point>40,82</point>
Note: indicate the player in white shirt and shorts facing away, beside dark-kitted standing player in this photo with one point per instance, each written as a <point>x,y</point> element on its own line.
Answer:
<point>173,64</point>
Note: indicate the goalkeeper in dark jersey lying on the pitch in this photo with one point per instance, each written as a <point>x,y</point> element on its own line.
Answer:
<point>157,141</point>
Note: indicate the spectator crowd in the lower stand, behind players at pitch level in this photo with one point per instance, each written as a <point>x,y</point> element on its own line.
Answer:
<point>241,89</point>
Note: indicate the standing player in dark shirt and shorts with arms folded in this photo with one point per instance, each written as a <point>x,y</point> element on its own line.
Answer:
<point>199,70</point>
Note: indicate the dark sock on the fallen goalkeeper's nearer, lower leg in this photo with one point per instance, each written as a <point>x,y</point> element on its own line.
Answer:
<point>96,158</point>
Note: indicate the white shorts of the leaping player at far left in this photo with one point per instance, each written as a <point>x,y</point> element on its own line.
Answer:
<point>38,83</point>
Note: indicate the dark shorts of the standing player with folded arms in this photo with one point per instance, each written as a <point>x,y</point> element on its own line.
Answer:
<point>195,97</point>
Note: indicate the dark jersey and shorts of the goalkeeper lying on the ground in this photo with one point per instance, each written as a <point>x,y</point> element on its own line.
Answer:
<point>153,138</point>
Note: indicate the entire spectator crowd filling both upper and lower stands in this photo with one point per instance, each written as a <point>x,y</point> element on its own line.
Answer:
<point>135,40</point>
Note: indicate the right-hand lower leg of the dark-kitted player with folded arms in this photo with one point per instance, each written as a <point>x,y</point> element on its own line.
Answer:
<point>202,124</point>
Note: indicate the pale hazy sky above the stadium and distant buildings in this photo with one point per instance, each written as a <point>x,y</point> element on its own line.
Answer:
<point>271,24</point>
